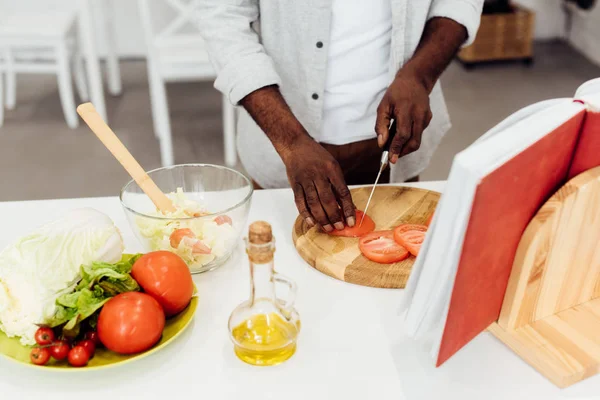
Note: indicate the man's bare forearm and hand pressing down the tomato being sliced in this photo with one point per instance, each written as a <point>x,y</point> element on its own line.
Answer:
<point>321,194</point>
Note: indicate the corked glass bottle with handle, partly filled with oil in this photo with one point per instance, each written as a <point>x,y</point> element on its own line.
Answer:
<point>264,329</point>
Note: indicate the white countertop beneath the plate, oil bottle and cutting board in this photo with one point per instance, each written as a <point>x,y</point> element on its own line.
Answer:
<point>351,345</point>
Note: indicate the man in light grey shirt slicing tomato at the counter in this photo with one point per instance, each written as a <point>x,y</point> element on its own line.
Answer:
<point>320,82</point>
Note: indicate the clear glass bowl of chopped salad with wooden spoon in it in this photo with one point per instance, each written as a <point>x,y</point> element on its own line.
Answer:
<point>217,200</point>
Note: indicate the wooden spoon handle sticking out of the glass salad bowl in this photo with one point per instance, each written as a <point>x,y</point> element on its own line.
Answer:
<point>91,117</point>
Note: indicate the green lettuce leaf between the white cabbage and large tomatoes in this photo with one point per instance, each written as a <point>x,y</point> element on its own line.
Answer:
<point>99,282</point>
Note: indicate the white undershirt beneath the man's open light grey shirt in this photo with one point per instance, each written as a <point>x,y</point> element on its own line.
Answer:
<point>358,64</point>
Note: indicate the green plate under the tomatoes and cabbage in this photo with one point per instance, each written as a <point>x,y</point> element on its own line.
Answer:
<point>12,349</point>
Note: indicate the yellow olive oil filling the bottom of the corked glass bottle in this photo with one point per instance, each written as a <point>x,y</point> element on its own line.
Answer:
<point>265,339</point>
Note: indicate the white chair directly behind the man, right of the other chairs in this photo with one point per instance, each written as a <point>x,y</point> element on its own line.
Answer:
<point>176,52</point>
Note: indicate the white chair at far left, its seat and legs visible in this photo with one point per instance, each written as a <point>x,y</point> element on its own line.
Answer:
<point>44,43</point>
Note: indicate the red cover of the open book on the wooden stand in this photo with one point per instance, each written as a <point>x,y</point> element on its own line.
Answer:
<point>504,203</point>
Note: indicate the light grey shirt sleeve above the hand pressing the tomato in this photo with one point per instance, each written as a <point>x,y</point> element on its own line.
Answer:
<point>240,60</point>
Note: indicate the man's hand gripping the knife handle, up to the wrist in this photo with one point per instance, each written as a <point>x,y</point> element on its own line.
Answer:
<point>406,101</point>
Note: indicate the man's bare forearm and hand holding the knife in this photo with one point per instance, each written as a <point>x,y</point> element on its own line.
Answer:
<point>407,98</point>
